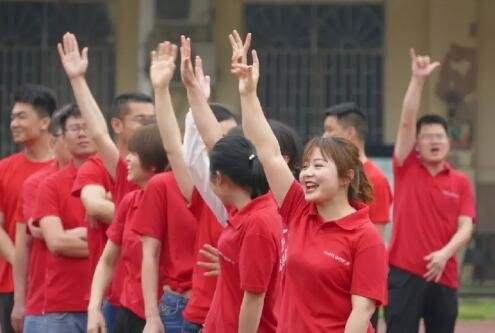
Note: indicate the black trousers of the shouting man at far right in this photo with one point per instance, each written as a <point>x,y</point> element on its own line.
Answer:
<point>411,298</point>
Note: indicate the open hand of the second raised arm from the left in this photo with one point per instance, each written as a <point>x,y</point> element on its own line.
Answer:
<point>163,64</point>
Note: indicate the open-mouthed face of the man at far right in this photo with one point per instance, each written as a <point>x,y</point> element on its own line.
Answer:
<point>432,143</point>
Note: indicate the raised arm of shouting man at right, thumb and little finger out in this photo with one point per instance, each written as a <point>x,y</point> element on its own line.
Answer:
<point>421,68</point>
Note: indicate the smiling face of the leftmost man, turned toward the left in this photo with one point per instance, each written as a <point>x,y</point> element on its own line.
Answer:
<point>26,124</point>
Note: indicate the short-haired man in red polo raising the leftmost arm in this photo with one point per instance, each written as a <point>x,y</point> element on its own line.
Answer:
<point>105,175</point>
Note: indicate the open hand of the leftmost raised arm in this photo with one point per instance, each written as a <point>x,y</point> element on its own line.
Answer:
<point>75,63</point>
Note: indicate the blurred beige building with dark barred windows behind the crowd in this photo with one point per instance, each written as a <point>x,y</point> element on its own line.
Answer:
<point>313,54</point>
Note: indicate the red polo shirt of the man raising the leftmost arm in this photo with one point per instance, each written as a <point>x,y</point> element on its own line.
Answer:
<point>94,172</point>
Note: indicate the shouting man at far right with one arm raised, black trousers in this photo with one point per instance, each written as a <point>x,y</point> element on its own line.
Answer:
<point>433,217</point>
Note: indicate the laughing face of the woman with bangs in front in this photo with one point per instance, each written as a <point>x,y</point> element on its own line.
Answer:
<point>319,178</point>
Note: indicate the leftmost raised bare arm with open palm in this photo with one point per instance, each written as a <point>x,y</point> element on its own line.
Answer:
<point>75,64</point>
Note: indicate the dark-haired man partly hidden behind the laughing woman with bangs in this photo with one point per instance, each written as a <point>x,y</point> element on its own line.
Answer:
<point>347,121</point>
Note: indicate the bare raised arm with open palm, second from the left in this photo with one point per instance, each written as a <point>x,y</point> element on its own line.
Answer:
<point>161,72</point>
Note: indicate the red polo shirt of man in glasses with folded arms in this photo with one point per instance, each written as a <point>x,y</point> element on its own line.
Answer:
<point>67,279</point>
